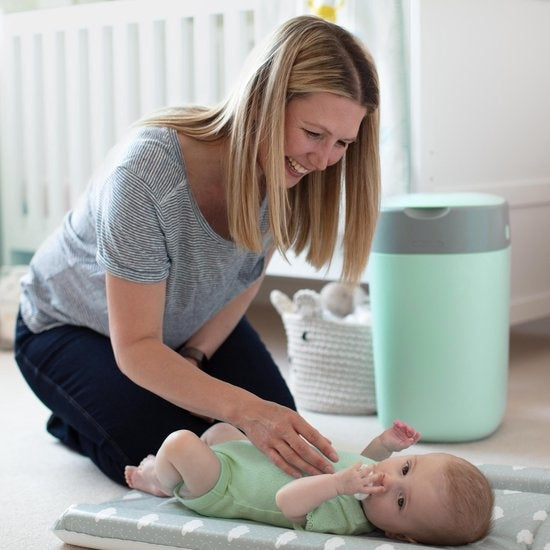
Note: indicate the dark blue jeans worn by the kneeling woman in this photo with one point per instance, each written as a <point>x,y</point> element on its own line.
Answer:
<point>99,412</point>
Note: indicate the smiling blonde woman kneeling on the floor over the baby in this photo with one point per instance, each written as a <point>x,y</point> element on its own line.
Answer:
<point>132,316</point>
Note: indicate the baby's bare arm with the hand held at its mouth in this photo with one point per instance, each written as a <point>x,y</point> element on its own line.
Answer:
<point>297,498</point>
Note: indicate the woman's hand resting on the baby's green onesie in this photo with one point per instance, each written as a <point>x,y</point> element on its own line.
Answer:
<point>287,439</point>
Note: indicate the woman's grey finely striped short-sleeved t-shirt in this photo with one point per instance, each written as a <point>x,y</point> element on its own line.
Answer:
<point>139,221</point>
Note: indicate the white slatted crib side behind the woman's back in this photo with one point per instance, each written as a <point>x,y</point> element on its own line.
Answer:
<point>73,79</point>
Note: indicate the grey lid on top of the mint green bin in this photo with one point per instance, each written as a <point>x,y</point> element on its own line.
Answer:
<point>442,223</point>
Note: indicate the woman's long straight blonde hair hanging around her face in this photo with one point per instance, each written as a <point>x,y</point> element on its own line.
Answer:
<point>305,55</point>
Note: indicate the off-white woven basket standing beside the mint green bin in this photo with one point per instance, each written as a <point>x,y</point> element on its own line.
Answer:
<point>331,365</point>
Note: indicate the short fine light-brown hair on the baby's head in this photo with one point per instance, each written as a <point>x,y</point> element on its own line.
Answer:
<point>469,505</point>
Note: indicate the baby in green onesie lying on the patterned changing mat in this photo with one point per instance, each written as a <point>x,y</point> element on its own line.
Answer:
<point>433,498</point>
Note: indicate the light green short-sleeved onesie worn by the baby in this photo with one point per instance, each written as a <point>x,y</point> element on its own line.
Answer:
<point>247,486</point>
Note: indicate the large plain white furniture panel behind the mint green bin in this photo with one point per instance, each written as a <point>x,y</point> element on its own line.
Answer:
<point>480,82</point>
